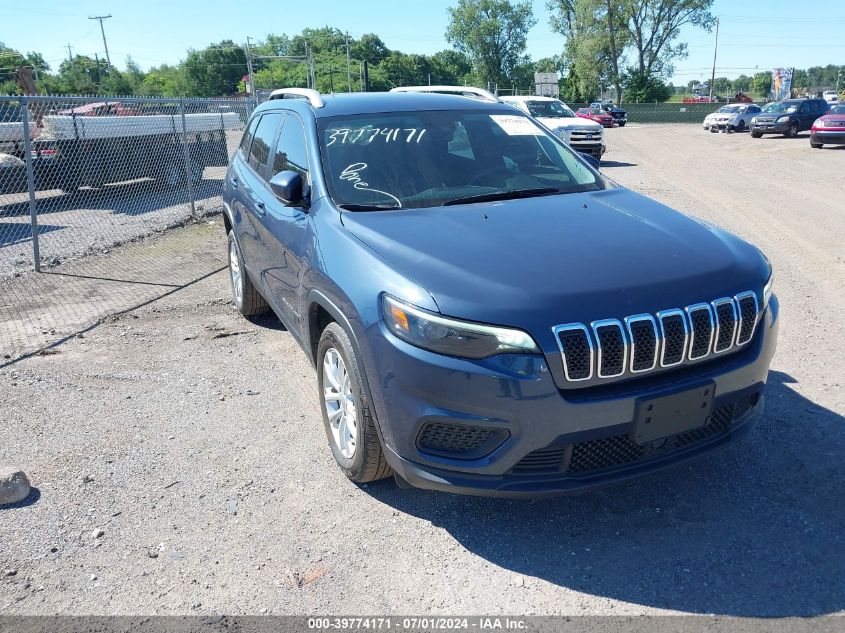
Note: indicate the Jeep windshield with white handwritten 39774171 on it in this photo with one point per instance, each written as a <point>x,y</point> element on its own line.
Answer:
<point>430,158</point>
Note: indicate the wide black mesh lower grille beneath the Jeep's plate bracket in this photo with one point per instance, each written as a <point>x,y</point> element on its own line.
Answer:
<point>619,450</point>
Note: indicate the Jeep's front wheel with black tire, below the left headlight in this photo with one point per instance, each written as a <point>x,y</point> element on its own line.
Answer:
<point>354,440</point>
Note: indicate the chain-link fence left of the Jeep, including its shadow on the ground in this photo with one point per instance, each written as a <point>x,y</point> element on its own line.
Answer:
<point>80,176</point>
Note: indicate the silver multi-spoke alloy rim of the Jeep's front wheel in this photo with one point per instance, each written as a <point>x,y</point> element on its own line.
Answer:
<point>340,403</point>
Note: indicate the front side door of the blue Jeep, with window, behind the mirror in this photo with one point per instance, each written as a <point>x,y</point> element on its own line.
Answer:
<point>283,229</point>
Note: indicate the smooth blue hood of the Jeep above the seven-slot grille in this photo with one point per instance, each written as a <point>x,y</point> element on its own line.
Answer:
<point>541,261</point>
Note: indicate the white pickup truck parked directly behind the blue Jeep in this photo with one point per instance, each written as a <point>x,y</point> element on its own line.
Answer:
<point>581,134</point>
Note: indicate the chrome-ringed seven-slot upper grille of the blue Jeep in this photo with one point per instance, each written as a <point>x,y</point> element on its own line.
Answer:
<point>607,348</point>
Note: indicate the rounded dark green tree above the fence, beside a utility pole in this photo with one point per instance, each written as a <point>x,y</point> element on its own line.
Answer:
<point>216,70</point>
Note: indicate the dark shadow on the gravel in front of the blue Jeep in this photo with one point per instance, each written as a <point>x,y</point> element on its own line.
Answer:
<point>753,530</point>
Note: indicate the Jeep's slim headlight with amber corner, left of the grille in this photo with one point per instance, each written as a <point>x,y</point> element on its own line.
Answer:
<point>450,336</point>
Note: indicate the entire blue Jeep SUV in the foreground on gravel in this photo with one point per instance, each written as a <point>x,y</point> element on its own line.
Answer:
<point>486,312</point>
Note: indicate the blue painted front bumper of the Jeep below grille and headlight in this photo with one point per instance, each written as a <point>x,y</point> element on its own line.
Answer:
<point>515,398</point>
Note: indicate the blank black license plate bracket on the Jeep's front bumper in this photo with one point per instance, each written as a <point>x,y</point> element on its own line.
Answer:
<point>657,418</point>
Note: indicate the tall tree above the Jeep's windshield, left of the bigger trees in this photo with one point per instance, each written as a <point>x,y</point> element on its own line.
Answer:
<point>493,35</point>
